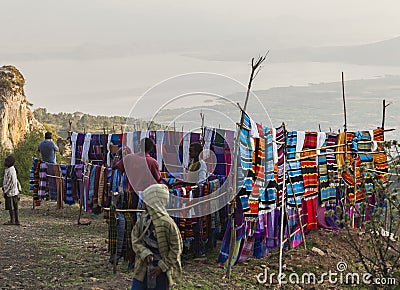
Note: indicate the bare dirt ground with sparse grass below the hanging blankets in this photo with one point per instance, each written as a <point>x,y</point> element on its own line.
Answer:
<point>50,251</point>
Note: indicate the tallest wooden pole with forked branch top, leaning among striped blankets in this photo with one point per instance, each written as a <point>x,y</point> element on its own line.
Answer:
<point>255,68</point>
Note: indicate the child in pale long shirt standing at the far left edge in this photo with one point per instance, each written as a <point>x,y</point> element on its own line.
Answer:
<point>11,190</point>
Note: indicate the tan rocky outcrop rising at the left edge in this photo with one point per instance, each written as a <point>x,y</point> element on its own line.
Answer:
<point>16,118</point>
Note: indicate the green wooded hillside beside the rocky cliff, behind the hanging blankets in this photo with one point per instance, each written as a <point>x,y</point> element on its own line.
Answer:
<point>80,122</point>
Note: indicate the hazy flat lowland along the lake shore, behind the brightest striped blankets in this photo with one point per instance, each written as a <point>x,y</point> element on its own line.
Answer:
<point>310,107</point>
